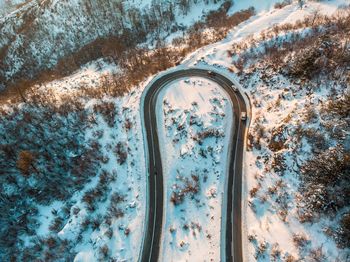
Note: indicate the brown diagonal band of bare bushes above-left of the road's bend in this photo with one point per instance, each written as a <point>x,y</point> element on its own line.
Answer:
<point>126,49</point>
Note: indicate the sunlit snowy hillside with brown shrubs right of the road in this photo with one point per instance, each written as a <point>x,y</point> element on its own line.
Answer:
<point>286,219</point>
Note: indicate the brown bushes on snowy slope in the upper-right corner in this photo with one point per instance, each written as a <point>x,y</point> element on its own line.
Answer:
<point>318,50</point>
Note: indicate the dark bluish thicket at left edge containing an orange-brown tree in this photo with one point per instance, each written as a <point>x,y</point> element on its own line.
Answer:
<point>45,158</point>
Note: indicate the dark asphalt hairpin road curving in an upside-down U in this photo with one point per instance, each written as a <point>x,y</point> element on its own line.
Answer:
<point>152,236</point>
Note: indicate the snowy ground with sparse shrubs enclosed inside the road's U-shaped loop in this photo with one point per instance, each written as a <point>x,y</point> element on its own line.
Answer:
<point>194,125</point>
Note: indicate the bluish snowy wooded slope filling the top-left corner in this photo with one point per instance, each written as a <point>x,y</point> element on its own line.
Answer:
<point>41,33</point>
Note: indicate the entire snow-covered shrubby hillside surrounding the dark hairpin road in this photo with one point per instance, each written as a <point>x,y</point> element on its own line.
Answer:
<point>72,160</point>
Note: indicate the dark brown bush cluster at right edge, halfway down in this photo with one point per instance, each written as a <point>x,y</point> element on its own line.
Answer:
<point>326,176</point>
